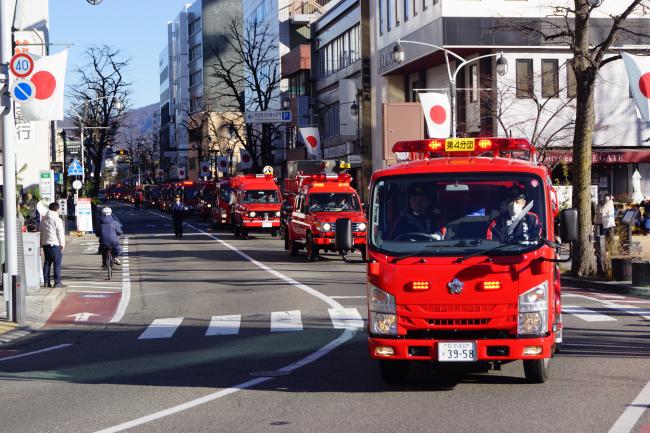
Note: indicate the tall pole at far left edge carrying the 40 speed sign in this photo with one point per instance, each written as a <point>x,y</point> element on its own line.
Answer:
<point>10,273</point>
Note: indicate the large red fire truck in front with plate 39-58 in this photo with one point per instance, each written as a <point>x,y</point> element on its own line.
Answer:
<point>463,257</point>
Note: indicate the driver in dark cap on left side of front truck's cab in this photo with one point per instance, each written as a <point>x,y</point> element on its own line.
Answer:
<point>420,221</point>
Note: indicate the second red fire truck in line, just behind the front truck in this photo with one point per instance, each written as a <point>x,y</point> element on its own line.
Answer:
<point>325,208</point>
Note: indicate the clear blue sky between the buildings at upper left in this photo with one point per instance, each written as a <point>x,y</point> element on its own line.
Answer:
<point>137,27</point>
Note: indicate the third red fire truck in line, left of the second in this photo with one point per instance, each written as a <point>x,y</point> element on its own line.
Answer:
<point>256,204</point>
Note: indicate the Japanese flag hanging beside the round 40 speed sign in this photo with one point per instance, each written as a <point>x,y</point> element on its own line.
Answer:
<point>48,79</point>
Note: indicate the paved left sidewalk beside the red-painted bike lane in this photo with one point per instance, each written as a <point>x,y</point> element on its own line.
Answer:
<point>80,262</point>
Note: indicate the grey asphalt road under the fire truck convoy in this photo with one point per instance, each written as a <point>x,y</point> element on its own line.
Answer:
<point>230,335</point>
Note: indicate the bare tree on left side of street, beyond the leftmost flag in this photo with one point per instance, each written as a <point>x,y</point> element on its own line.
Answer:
<point>100,100</point>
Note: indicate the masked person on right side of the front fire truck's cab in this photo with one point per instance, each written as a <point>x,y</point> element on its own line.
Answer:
<point>512,225</point>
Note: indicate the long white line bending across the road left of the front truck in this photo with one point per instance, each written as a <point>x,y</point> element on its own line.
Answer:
<point>346,336</point>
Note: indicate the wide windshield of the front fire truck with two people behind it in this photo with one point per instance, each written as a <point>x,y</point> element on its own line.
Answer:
<point>457,213</point>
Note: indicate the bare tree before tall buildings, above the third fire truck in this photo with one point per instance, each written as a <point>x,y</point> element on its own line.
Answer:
<point>248,74</point>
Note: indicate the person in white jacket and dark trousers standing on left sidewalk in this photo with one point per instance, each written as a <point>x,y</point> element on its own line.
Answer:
<point>53,243</point>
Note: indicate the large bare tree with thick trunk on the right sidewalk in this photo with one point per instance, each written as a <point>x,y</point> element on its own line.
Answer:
<point>570,25</point>
